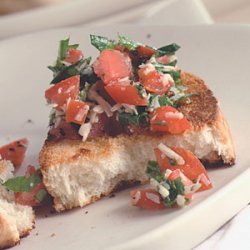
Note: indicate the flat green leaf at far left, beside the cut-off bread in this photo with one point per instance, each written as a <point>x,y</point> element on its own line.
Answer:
<point>22,183</point>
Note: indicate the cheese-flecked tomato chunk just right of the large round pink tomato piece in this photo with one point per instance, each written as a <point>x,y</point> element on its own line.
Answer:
<point>154,81</point>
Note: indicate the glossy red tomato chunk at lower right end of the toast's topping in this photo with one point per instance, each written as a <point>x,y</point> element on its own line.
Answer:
<point>168,119</point>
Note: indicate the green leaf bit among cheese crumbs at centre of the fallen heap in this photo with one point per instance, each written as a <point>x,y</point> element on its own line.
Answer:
<point>176,188</point>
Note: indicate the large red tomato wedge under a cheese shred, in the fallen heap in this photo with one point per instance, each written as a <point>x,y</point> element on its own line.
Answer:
<point>192,168</point>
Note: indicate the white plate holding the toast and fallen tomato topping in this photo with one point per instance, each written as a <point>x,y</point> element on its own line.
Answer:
<point>219,54</point>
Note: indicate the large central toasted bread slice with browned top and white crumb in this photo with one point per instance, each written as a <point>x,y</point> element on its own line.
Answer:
<point>77,173</point>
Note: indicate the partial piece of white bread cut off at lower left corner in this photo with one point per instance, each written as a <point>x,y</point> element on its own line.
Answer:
<point>16,221</point>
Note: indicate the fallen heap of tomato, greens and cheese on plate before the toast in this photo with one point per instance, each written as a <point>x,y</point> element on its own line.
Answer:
<point>174,182</point>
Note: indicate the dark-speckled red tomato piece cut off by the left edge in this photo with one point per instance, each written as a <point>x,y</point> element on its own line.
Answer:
<point>14,151</point>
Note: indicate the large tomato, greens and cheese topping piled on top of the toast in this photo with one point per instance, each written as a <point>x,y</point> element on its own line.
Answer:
<point>135,85</point>
